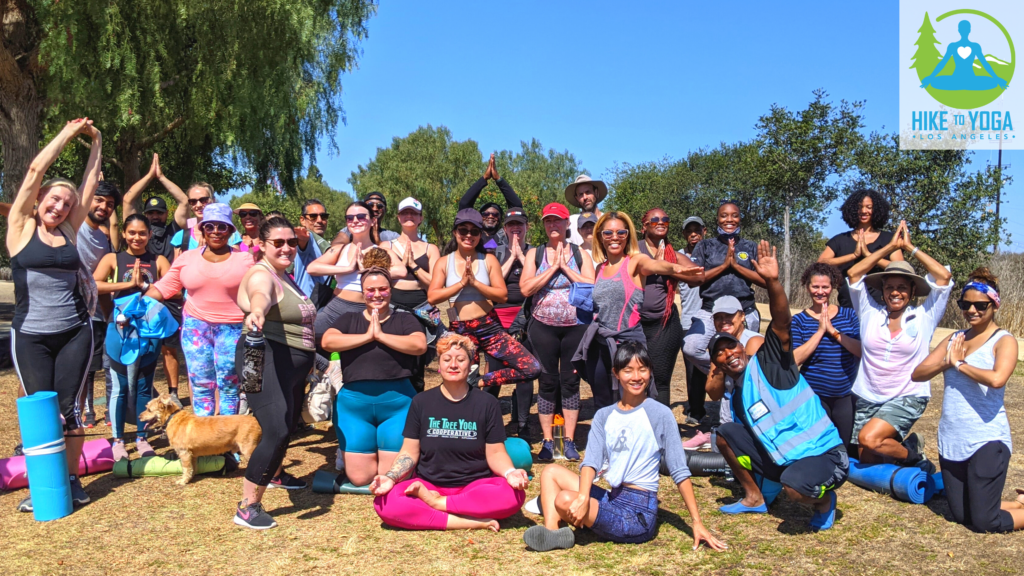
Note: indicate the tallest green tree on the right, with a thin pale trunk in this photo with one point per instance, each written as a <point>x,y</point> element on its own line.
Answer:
<point>802,154</point>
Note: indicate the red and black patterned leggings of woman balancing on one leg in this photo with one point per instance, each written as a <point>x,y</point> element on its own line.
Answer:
<point>490,338</point>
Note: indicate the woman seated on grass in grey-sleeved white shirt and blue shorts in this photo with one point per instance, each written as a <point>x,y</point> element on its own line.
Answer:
<point>631,437</point>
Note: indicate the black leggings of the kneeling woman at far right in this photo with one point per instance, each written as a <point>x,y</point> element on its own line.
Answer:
<point>974,488</point>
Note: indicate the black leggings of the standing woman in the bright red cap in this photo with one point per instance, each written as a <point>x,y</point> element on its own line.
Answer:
<point>554,347</point>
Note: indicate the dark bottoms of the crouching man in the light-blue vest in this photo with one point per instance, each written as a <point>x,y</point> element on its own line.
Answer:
<point>812,476</point>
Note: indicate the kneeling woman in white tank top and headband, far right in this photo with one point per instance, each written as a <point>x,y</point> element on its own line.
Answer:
<point>974,432</point>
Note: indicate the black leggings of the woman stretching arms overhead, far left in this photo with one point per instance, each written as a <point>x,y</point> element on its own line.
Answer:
<point>37,358</point>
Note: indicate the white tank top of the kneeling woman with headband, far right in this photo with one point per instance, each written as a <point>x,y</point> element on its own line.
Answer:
<point>973,415</point>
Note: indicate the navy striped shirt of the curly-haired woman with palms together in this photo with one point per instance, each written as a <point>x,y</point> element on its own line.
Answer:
<point>831,371</point>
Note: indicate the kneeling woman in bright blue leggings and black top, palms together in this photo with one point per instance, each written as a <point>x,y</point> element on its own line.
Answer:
<point>379,350</point>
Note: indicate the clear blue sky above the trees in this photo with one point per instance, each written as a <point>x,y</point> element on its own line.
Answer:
<point>614,83</point>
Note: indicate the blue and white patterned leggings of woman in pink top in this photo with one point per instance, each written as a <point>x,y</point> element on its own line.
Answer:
<point>209,351</point>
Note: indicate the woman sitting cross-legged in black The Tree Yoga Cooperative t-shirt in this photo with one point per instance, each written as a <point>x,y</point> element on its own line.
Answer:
<point>455,441</point>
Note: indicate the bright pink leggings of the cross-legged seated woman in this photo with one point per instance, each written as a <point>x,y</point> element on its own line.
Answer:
<point>489,498</point>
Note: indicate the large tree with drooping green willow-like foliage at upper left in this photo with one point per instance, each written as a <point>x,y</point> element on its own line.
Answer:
<point>255,83</point>
